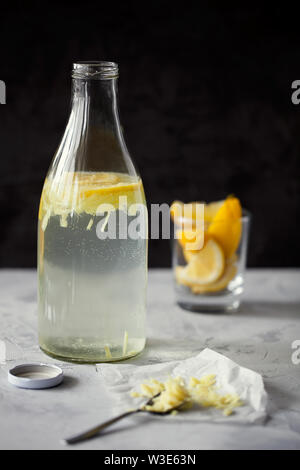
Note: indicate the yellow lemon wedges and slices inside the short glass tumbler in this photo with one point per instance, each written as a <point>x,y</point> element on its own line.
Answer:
<point>212,264</point>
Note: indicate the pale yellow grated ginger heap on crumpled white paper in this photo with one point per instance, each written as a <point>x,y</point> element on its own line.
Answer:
<point>174,393</point>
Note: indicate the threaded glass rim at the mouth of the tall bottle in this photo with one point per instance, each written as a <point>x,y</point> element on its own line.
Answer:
<point>95,70</point>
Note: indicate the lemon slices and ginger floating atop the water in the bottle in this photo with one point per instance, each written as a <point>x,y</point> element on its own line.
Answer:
<point>84,192</point>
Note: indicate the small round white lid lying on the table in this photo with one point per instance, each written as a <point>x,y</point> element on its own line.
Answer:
<point>36,375</point>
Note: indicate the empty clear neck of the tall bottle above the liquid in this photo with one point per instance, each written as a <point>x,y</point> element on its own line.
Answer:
<point>93,139</point>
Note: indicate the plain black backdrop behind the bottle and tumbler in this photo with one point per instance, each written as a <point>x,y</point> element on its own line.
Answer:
<point>205,101</point>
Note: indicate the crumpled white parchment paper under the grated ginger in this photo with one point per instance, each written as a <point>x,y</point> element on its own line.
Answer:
<point>122,379</point>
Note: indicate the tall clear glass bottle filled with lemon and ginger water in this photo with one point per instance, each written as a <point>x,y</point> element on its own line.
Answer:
<point>92,275</point>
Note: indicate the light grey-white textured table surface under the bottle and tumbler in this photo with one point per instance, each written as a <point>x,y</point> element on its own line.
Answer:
<point>259,337</point>
